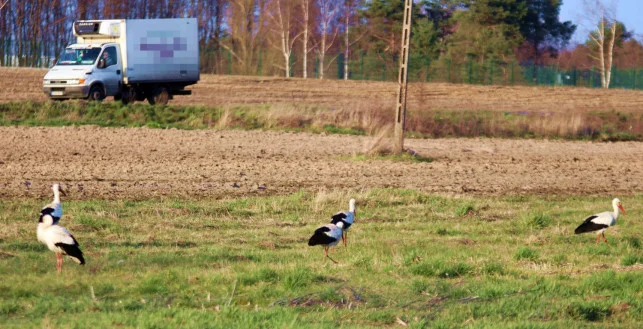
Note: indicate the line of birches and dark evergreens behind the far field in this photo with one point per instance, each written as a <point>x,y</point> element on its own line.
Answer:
<point>330,38</point>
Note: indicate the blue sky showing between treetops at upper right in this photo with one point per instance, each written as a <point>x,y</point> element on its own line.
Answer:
<point>630,12</point>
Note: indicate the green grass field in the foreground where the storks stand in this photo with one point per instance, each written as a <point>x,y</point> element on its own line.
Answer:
<point>422,260</point>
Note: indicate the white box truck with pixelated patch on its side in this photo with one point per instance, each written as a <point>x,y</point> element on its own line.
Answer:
<point>130,59</point>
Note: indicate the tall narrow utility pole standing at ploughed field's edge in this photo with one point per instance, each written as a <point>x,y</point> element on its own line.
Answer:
<point>400,109</point>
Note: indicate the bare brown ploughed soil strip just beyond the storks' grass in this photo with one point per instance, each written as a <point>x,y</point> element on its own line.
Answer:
<point>141,163</point>
